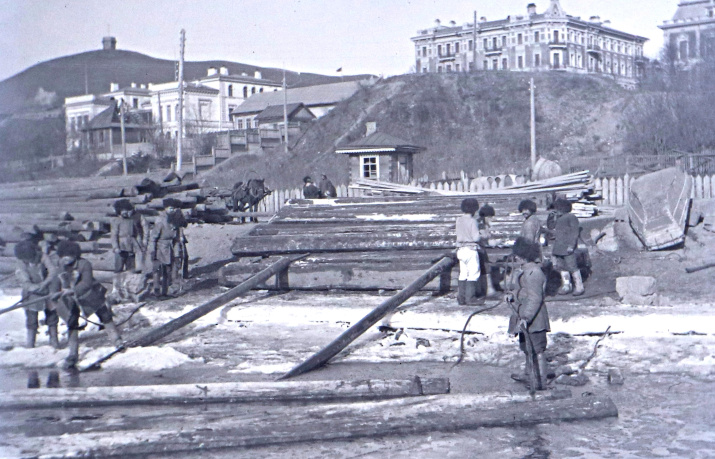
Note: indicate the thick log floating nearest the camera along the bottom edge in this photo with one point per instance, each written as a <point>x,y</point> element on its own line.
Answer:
<point>290,425</point>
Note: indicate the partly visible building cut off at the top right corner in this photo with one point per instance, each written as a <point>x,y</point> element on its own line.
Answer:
<point>690,36</point>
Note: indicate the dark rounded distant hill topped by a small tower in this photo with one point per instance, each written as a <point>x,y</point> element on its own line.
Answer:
<point>48,83</point>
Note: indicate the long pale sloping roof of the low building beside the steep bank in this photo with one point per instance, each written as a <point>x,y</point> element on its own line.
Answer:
<point>310,96</point>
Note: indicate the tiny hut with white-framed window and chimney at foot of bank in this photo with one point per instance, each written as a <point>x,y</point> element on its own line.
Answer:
<point>381,157</point>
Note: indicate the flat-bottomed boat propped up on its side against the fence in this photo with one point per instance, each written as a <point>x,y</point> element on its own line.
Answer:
<point>658,207</point>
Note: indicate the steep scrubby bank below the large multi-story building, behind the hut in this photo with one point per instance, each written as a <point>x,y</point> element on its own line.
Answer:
<point>465,121</point>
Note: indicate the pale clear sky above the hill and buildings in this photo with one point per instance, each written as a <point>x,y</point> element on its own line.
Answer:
<point>361,36</point>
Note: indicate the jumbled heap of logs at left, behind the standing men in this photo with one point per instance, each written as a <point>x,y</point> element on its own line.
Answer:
<point>82,210</point>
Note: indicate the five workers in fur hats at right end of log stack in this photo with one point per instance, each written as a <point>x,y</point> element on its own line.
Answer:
<point>525,285</point>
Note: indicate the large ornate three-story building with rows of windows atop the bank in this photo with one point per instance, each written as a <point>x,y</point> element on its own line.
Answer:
<point>552,40</point>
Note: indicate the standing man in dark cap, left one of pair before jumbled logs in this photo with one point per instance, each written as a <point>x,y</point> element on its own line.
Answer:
<point>127,237</point>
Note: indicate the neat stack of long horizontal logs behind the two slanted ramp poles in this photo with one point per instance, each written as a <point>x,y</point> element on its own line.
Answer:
<point>367,243</point>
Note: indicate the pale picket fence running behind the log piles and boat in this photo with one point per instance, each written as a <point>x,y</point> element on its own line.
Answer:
<point>614,190</point>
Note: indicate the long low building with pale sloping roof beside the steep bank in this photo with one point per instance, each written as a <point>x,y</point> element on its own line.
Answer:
<point>319,99</point>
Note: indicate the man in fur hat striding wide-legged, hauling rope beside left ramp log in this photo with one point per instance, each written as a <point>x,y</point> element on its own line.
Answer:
<point>79,293</point>
